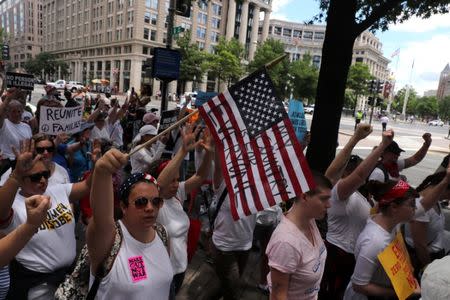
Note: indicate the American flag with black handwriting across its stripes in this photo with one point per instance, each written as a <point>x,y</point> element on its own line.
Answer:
<point>262,161</point>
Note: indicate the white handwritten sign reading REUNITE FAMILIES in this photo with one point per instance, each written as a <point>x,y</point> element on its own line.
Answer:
<point>54,120</point>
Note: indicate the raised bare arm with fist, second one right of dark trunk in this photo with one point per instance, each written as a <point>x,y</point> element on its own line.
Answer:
<point>352,182</point>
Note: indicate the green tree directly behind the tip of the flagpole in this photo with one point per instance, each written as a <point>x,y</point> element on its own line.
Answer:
<point>266,52</point>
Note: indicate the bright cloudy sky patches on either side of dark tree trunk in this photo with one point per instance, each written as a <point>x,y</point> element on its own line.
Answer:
<point>424,42</point>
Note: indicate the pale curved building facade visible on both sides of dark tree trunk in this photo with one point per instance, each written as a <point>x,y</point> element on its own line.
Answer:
<point>300,39</point>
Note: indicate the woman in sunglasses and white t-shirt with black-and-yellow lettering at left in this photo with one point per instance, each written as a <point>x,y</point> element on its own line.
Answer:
<point>42,264</point>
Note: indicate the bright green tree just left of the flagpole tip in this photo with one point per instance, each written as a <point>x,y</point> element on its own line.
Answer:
<point>225,63</point>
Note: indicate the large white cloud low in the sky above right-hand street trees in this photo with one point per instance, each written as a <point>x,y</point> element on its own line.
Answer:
<point>430,57</point>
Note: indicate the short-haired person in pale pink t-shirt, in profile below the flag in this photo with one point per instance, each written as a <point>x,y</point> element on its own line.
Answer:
<point>296,250</point>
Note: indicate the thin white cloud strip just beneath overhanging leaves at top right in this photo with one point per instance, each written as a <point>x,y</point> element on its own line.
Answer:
<point>415,24</point>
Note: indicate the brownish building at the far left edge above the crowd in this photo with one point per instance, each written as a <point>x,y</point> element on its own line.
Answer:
<point>21,22</point>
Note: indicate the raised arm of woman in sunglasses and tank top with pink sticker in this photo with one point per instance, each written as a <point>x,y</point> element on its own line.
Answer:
<point>101,230</point>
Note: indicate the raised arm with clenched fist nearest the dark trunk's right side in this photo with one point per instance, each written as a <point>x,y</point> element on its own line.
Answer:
<point>337,166</point>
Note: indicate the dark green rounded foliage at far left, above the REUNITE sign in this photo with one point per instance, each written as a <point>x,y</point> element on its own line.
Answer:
<point>46,62</point>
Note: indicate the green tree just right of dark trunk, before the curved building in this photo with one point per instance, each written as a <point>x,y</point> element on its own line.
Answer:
<point>358,76</point>
